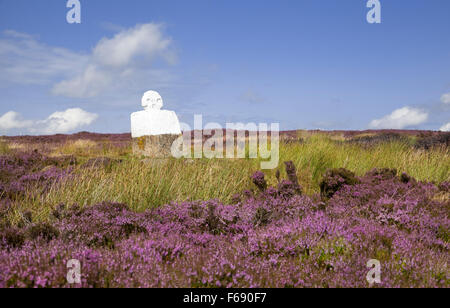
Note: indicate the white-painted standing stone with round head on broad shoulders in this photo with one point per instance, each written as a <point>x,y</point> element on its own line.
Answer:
<point>152,120</point>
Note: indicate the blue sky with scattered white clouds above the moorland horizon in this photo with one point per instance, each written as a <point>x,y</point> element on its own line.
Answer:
<point>306,64</point>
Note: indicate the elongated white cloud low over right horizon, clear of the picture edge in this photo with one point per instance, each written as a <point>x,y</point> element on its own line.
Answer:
<point>401,118</point>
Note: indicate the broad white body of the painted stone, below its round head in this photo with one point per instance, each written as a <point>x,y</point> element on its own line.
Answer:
<point>154,122</point>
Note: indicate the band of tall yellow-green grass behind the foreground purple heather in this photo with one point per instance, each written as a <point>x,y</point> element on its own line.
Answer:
<point>151,183</point>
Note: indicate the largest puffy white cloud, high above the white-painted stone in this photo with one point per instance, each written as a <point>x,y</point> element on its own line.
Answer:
<point>118,60</point>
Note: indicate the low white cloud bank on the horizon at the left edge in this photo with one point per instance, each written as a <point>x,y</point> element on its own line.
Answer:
<point>57,123</point>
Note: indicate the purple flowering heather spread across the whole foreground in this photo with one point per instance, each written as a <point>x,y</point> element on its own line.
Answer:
<point>266,239</point>
